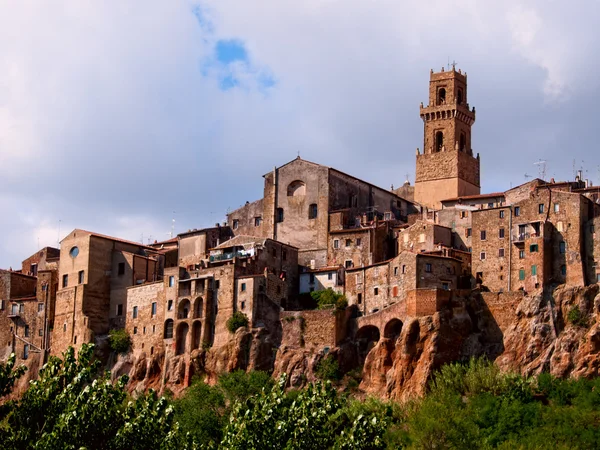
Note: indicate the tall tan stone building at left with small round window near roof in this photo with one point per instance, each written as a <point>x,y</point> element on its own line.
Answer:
<point>94,274</point>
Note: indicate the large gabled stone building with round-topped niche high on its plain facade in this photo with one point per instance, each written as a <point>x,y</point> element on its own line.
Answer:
<point>298,198</point>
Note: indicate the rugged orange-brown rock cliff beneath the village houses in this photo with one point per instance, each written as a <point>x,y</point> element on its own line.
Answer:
<point>557,332</point>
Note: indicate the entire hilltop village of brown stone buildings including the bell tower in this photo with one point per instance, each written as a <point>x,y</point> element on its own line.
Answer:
<point>395,254</point>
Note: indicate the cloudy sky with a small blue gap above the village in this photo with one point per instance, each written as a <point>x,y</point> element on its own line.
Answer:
<point>121,116</point>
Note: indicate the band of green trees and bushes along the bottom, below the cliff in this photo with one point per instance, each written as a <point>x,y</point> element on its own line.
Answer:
<point>468,406</point>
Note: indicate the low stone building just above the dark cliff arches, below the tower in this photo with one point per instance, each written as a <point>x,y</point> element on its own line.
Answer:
<point>380,285</point>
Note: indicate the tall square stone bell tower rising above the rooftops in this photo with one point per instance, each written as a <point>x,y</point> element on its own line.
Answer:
<point>446,167</point>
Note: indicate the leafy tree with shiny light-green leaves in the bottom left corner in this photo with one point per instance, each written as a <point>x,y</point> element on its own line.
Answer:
<point>71,406</point>
